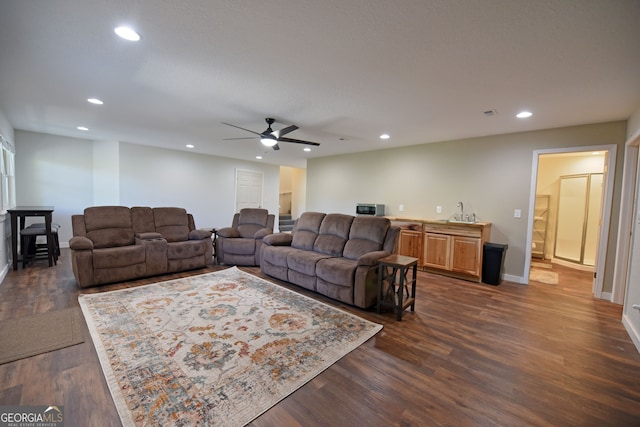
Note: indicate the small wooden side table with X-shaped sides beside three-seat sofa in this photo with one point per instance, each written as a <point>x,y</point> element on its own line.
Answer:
<point>394,282</point>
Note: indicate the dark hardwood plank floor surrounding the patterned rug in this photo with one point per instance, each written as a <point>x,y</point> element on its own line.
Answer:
<point>471,355</point>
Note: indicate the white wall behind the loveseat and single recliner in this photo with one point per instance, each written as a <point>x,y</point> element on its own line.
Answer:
<point>62,171</point>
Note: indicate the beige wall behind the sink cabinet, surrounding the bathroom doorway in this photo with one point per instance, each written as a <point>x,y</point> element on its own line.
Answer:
<point>490,175</point>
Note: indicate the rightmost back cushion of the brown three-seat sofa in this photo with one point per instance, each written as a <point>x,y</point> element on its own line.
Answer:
<point>367,235</point>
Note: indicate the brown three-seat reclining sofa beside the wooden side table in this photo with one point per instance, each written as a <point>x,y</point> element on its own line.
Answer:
<point>333,254</point>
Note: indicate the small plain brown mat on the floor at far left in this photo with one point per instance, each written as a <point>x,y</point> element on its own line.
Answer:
<point>39,333</point>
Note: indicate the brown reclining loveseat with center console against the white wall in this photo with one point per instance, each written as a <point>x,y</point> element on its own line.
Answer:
<point>116,243</point>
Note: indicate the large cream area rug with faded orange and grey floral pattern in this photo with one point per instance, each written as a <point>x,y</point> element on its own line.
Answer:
<point>214,349</point>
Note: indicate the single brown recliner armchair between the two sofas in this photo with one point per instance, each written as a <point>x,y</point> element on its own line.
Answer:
<point>241,243</point>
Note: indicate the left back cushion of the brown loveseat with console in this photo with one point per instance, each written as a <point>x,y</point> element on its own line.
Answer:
<point>109,226</point>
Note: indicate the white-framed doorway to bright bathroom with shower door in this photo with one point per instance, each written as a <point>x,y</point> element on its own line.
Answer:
<point>571,200</point>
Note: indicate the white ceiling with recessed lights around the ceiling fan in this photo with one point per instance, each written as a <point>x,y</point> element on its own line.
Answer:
<point>344,71</point>
